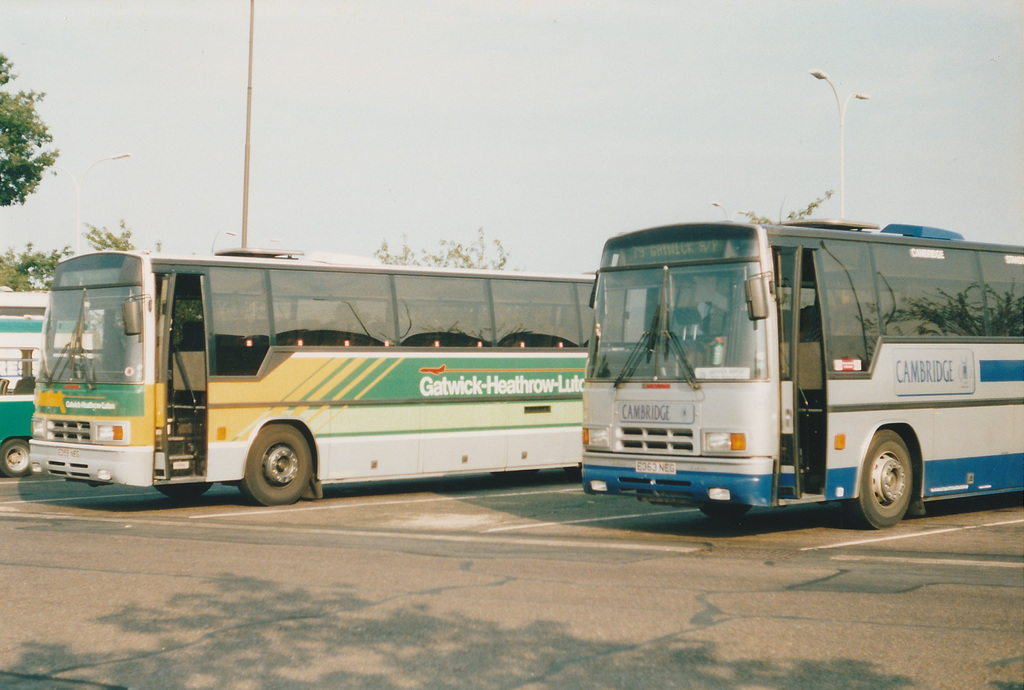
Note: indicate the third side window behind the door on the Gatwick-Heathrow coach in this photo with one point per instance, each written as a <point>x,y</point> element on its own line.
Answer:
<point>442,312</point>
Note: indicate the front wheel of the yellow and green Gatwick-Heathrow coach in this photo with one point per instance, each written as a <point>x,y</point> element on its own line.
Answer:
<point>278,468</point>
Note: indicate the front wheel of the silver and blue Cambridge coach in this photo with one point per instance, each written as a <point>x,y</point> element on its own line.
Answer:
<point>886,484</point>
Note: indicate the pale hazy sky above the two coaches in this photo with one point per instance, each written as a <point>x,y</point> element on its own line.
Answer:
<point>551,125</point>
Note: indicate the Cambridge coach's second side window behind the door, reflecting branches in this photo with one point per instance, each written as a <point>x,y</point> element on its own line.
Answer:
<point>928,292</point>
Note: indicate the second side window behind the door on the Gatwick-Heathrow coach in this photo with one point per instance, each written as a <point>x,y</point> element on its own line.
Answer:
<point>332,310</point>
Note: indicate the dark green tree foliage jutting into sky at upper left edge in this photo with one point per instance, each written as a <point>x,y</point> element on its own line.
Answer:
<point>23,138</point>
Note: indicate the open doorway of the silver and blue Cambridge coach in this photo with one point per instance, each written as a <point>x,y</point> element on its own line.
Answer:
<point>802,448</point>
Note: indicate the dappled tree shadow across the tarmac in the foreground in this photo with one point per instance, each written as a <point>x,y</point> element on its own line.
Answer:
<point>250,633</point>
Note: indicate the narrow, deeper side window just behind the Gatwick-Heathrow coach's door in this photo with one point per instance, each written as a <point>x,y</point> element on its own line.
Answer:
<point>240,321</point>
